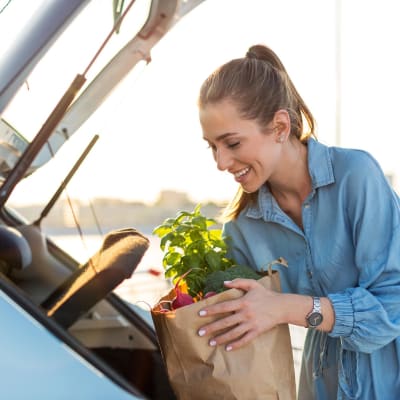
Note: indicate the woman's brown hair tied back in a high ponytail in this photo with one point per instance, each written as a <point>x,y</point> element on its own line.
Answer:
<point>258,85</point>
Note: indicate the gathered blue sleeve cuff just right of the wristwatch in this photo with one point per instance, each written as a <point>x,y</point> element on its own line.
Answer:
<point>344,314</point>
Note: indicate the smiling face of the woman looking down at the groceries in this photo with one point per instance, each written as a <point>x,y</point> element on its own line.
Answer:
<point>241,147</point>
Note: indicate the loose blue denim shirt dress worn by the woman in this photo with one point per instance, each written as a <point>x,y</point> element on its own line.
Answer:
<point>348,251</point>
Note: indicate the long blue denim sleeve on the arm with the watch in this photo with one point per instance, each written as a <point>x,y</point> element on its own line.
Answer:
<point>367,316</point>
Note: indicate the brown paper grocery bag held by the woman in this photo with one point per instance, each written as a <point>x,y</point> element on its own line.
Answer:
<point>263,369</point>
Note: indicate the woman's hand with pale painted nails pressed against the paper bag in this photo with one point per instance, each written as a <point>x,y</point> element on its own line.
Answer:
<point>255,312</point>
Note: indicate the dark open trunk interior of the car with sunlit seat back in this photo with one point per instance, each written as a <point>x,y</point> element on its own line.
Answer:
<point>77,304</point>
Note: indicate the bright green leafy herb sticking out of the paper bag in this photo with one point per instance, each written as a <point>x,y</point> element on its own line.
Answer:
<point>191,247</point>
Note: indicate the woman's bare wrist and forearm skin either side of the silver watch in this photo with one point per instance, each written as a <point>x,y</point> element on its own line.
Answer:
<point>296,307</point>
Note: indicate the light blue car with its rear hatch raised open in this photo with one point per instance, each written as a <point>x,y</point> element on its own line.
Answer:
<point>64,332</point>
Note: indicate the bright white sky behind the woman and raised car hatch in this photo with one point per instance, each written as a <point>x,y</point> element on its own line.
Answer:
<point>156,109</point>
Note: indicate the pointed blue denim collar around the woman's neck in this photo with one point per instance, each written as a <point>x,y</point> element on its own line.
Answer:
<point>321,172</point>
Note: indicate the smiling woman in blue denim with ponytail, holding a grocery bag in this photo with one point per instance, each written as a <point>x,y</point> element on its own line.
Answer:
<point>329,212</point>
